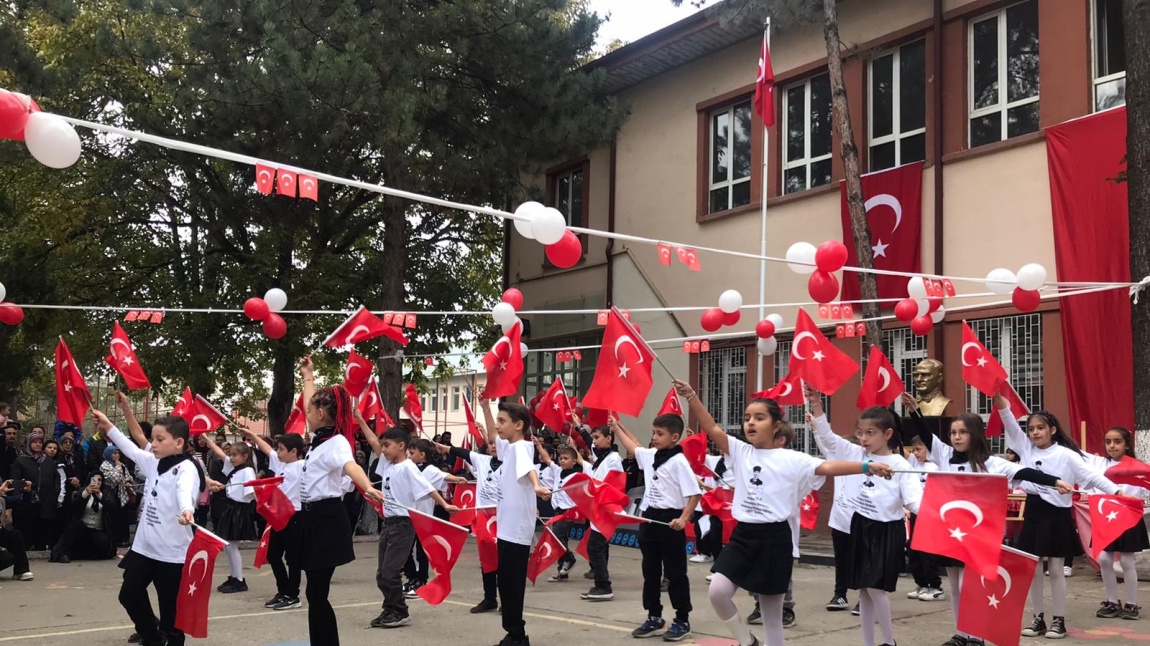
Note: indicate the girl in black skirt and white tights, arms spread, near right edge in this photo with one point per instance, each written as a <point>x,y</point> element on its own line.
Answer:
<point>1048,529</point>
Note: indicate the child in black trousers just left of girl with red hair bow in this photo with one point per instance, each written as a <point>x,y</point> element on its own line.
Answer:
<point>286,462</point>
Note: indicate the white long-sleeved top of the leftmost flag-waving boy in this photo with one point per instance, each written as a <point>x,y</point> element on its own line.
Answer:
<point>164,498</point>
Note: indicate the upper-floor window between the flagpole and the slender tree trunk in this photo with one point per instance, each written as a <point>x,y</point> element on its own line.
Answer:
<point>807,151</point>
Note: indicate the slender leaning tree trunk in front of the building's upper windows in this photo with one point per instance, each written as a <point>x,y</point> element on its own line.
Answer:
<point>869,289</point>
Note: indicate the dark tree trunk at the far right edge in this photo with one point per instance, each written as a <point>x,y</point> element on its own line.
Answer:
<point>1137,26</point>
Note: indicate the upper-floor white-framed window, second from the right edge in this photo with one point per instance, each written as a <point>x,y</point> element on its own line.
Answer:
<point>1005,74</point>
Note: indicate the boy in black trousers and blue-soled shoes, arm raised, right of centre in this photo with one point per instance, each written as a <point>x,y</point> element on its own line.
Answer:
<point>670,497</point>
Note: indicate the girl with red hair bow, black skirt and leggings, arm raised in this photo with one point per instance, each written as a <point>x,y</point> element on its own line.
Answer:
<point>325,533</point>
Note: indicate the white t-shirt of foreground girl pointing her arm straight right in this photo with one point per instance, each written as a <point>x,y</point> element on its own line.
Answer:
<point>769,483</point>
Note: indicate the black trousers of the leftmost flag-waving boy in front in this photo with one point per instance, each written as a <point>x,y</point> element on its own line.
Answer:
<point>140,573</point>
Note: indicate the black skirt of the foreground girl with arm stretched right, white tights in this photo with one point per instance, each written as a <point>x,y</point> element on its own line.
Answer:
<point>760,558</point>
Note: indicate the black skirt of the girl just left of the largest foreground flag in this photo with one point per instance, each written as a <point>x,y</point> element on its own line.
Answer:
<point>876,555</point>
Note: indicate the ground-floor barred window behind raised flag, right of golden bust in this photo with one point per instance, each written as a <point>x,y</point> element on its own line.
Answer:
<point>1017,343</point>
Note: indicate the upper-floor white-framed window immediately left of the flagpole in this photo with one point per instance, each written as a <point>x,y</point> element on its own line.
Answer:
<point>731,158</point>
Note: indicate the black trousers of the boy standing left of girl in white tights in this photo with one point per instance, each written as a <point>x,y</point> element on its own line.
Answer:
<point>664,555</point>
